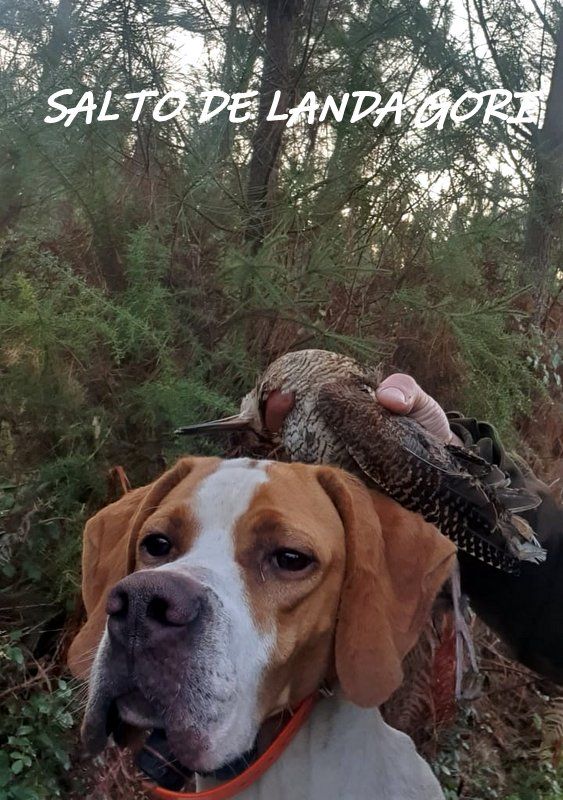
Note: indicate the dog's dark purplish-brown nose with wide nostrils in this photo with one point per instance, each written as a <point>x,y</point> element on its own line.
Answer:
<point>148,603</point>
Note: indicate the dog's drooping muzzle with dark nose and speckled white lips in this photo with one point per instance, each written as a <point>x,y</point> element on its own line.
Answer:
<point>157,665</point>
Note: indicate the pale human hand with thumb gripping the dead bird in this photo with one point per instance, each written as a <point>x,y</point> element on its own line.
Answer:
<point>401,394</point>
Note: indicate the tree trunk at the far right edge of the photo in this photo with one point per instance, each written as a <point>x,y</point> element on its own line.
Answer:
<point>544,216</point>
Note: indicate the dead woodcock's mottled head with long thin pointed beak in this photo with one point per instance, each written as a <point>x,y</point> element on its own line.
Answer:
<point>279,390</point>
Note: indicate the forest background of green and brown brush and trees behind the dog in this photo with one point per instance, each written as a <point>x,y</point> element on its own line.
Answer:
<point>148,271</point>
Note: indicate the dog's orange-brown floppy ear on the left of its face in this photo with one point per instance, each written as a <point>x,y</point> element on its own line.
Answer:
<point>108,555</point>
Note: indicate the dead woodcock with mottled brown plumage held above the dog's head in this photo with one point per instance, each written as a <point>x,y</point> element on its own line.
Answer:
<point>336,419</point>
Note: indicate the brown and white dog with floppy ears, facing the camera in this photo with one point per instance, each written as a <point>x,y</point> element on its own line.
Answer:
<point>227,591</point>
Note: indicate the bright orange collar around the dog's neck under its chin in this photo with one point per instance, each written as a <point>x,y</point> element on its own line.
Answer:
<point>255,771</point>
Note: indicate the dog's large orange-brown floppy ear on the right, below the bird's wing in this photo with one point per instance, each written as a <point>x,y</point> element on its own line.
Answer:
<point>395,565</point>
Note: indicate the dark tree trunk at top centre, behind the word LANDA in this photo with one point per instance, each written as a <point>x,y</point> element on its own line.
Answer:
<point>266,142</point>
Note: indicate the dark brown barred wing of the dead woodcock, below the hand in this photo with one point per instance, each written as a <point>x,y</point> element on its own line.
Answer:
<point>440,482</point>
